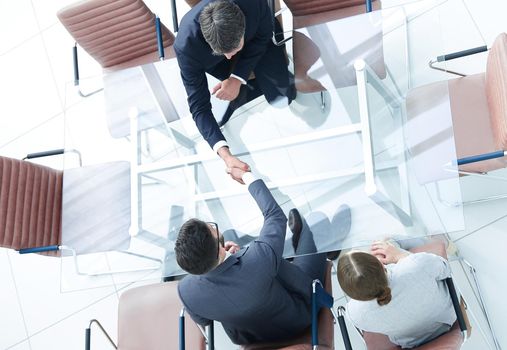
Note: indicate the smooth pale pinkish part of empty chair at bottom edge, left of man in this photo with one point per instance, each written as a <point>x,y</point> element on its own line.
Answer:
<point>148,319</point>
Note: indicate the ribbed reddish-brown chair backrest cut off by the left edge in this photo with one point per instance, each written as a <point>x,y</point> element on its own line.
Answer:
<point>30,204</point>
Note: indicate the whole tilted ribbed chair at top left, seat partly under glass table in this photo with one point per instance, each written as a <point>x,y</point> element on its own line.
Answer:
<point>121,34</point>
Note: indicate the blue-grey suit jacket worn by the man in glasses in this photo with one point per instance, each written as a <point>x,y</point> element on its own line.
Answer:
<point>256,294</point>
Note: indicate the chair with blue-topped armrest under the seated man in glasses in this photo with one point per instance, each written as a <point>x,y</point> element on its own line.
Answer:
<point>321,334</point>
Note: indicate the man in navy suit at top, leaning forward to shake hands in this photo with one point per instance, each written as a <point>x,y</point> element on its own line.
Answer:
<point>230,39</point>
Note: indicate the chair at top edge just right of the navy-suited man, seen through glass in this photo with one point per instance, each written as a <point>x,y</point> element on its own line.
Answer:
<point>312,15</point>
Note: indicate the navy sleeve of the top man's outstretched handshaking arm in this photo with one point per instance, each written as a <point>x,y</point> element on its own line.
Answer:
<point>198,97</point>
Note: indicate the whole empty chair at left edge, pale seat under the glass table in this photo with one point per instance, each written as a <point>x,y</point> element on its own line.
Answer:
<point>90,204</point>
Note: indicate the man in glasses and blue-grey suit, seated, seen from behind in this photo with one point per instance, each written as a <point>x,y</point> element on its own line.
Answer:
<point>256,294</point>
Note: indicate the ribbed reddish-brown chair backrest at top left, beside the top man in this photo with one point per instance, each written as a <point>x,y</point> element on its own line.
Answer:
<point>117,33</point>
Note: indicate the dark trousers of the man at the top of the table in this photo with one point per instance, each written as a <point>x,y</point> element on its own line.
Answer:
<point>272,77</point>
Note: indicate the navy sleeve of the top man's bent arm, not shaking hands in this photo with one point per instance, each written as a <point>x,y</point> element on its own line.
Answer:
<point>255,48</point>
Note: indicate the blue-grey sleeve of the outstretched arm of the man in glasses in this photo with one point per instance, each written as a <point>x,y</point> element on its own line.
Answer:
<point>272,236</point>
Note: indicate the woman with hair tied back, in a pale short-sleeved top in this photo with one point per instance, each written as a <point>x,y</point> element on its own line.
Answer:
<point>396,293</point>
